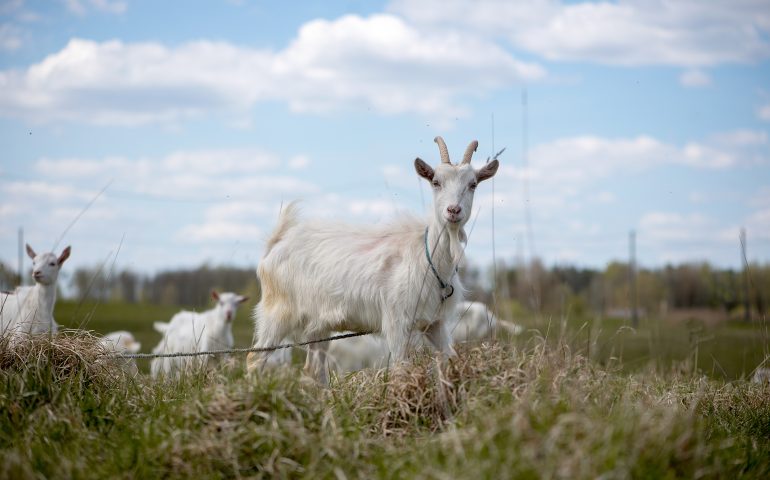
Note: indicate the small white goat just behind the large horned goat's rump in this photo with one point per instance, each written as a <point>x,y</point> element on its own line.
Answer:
<point>196,332</point>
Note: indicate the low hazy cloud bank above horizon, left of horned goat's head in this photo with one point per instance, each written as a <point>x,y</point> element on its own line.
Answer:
<point>190,200</point>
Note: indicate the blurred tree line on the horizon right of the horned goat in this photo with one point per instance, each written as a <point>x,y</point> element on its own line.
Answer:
<point>615,290</point>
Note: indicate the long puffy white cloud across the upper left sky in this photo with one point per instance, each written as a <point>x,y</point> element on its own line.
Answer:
<point>379,62</point>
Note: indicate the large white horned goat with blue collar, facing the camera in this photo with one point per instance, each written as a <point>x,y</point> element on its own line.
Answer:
<point>399,279</point>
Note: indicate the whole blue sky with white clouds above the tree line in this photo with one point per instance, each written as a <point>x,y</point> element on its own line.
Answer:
<point>157,135</point>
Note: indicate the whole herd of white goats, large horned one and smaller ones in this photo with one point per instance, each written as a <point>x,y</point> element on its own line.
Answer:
<point>319,277</point>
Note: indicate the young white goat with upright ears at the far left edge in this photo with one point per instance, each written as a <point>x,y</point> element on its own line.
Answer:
<point>29,310</point>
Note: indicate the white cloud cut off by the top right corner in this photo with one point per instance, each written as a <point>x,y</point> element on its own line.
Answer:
<point>689,33</point>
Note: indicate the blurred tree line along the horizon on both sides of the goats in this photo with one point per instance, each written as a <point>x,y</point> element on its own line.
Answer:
<point>611,291</point>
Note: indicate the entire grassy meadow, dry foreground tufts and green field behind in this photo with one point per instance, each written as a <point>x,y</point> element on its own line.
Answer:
<point>571,398</point>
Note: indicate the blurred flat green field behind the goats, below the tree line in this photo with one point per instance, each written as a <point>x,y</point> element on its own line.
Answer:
<point>727,350</point>
